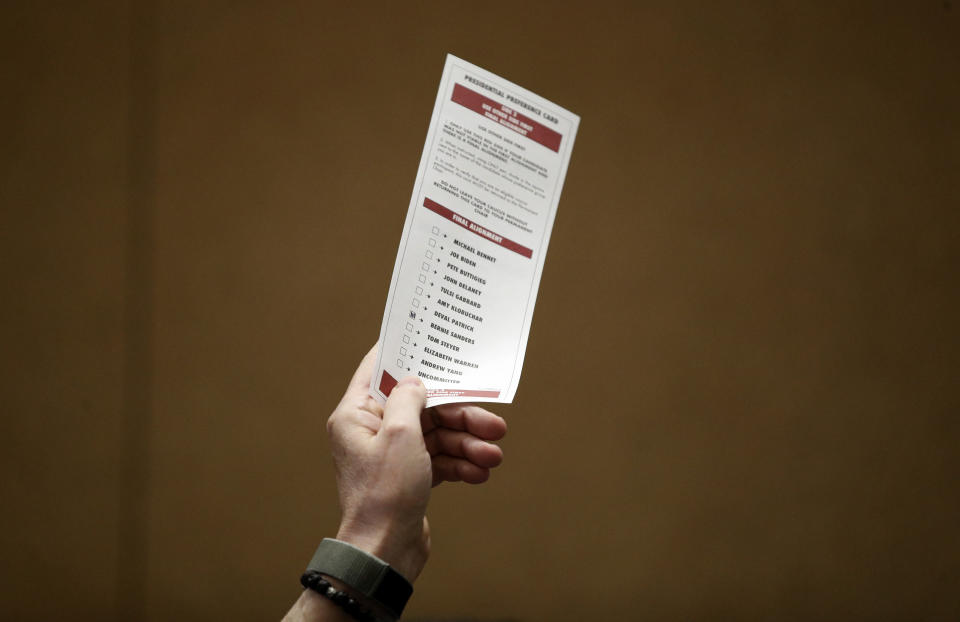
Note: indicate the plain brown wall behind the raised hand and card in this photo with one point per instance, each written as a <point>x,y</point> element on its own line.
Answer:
<point>740,396</point>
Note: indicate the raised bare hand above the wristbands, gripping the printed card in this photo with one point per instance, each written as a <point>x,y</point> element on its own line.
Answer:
<point>388,456</point>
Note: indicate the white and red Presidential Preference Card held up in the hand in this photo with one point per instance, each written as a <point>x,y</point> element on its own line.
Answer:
<point>467,272</point>
